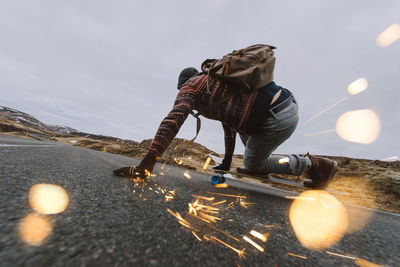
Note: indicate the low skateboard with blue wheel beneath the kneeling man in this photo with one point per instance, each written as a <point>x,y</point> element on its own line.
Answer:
<point>219,178</point>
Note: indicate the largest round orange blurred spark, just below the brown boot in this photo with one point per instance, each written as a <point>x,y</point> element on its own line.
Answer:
<point>319,223</point>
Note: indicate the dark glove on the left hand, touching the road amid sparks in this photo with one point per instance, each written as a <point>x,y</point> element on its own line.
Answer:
<point>142,171</point>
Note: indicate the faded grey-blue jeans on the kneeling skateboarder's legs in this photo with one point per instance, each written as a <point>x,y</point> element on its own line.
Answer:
<point>273,131</point>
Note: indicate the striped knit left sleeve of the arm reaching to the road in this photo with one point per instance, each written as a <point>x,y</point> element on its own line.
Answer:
<point>171,124</point>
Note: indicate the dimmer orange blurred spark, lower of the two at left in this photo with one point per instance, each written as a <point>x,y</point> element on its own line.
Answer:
<point>34,229</point>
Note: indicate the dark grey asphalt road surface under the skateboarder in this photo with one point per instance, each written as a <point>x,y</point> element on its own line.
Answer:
<point>109,223</point>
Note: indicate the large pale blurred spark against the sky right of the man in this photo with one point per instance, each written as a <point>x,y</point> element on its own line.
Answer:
<point>360,126</point>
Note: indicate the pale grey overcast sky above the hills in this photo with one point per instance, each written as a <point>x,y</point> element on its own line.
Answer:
<point>111,67</point>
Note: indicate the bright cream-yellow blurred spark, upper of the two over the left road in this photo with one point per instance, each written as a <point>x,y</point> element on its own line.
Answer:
<point>48,198</point>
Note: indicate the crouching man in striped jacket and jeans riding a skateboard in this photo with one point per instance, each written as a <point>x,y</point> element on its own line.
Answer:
<point>264,118</point>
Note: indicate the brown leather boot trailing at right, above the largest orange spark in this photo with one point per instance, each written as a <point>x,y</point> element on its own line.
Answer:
<point>321,172</point>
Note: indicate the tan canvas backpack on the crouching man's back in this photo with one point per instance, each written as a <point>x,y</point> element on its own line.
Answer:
<point>245,69</point>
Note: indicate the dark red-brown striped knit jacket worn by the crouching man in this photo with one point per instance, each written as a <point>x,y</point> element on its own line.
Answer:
<point>196,95</point>
